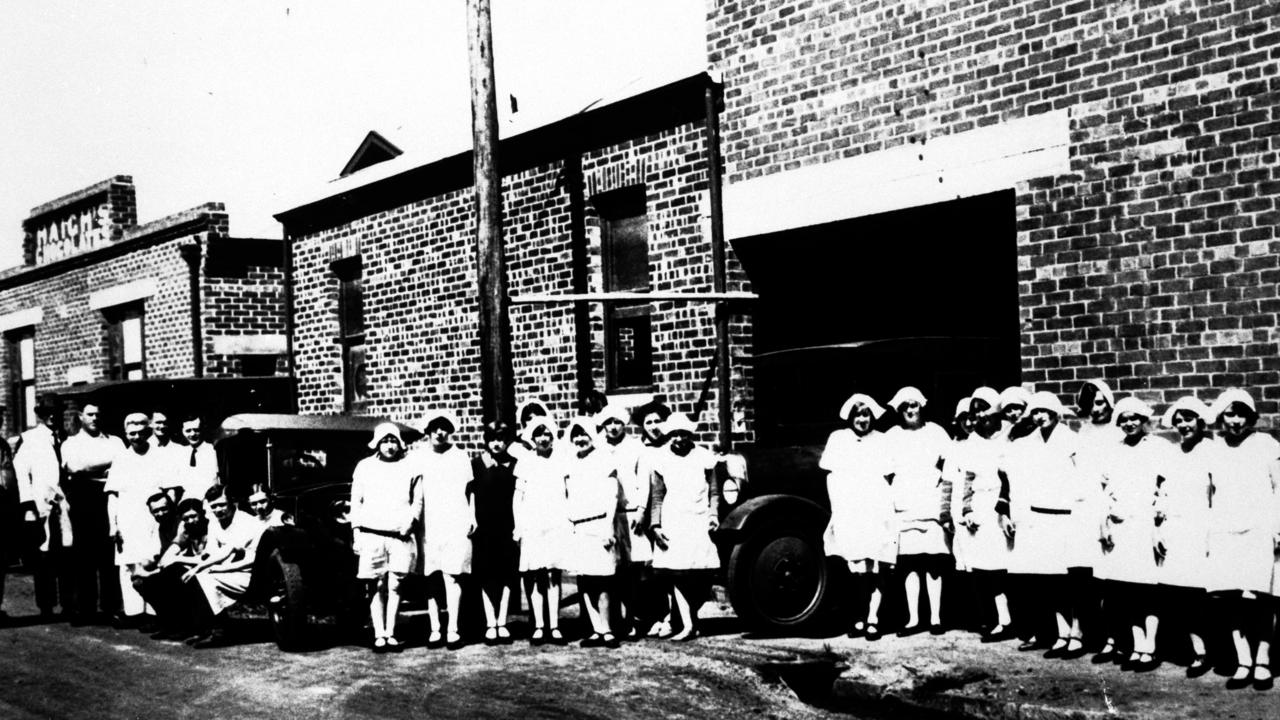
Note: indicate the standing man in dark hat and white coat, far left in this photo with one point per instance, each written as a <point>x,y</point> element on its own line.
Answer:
<point>47,520</point>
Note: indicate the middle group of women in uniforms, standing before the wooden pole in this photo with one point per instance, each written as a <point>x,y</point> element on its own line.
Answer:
<point>592,502</point>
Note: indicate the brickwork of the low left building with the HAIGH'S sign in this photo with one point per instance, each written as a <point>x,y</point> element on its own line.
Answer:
<point>72,335</point>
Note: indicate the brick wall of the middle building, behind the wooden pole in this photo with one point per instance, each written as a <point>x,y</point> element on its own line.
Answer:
<point>420,286</point>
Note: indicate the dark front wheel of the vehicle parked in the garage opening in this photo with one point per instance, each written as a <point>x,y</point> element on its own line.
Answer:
<point>778,578</point>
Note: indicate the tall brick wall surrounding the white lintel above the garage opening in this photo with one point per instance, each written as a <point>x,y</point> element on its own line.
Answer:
<point>1154,261</point>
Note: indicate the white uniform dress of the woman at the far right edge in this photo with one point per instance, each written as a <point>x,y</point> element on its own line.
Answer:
<point>1244,517</point>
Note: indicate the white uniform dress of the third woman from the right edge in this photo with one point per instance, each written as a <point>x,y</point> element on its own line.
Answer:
<point>1130,485</point>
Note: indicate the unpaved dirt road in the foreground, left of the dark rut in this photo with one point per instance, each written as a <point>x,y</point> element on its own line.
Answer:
<point>102,675</point>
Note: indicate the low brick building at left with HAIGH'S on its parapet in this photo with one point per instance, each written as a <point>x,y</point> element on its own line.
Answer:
<point>102,298</point>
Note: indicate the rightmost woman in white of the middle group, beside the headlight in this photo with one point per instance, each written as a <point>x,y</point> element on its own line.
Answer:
<point>684,511</point>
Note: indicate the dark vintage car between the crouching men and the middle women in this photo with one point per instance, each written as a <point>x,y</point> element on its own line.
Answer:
<point>305,572</point>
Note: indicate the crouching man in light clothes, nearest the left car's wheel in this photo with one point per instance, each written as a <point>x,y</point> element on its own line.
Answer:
<point>225,573</point>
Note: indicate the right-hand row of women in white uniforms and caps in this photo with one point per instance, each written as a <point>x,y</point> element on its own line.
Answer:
<point>1109,531</point>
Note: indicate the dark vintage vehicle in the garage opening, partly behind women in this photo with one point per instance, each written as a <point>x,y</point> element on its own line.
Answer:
<point>775,496</point>
